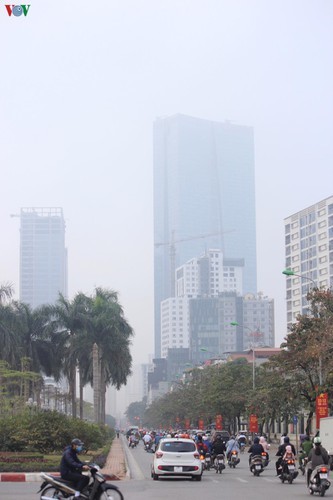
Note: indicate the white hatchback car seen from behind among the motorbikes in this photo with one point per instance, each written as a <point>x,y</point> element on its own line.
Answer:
<point>176,457</point>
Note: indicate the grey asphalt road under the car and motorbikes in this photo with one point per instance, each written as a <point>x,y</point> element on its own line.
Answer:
<point>236,483</point>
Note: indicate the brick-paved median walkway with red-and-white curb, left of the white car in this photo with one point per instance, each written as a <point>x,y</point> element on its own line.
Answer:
<point>116,467</point>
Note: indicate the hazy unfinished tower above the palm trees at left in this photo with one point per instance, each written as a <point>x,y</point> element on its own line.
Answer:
<point>43,256</point>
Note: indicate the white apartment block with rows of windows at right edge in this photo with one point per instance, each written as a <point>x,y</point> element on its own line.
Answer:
<point>308,253</point>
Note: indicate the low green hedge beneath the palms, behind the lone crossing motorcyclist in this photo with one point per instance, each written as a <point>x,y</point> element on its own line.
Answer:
<point>48,431</point>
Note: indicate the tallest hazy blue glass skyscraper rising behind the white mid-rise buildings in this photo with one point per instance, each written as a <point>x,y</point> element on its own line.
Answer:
<point>204,197</point>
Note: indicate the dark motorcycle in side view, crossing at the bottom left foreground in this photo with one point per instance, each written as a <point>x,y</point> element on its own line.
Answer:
<point>97,489</point>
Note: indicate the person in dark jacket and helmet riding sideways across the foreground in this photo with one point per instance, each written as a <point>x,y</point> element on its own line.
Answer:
<point>71,467</point>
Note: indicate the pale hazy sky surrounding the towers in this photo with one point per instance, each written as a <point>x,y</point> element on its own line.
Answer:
<point>81,84</point>
